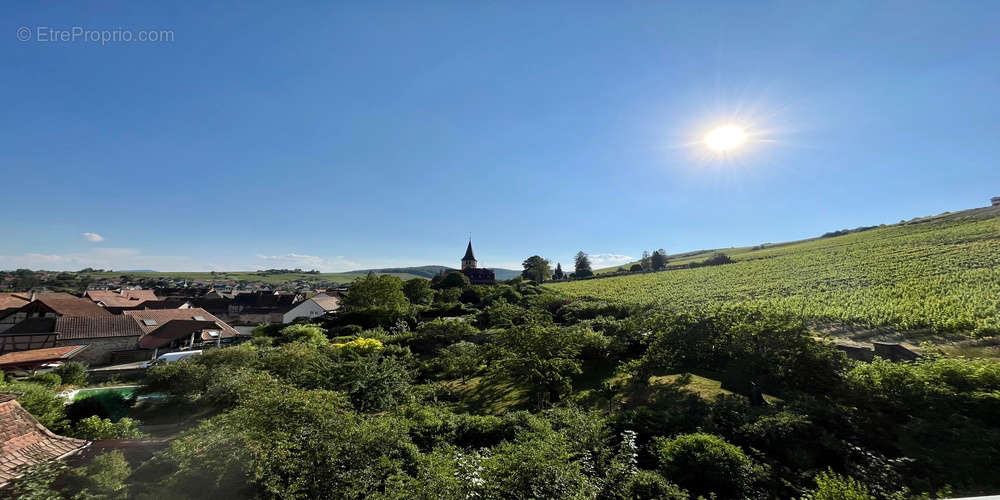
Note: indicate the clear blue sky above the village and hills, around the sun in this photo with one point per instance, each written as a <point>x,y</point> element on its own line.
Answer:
<point>371,134</point>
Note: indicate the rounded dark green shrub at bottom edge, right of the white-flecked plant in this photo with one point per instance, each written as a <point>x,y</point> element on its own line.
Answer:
<point>706,463</point>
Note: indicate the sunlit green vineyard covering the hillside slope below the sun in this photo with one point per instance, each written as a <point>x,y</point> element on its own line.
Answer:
<point>940,275</point>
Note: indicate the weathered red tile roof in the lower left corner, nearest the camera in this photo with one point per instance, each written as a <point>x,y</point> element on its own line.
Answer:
<point>25,442</point>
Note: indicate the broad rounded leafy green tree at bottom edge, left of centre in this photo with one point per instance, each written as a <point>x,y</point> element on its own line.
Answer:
<point>294,445</point>
